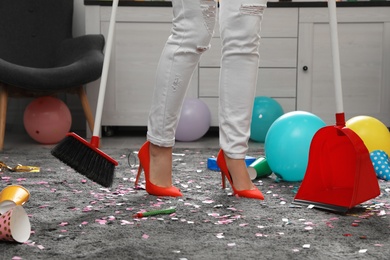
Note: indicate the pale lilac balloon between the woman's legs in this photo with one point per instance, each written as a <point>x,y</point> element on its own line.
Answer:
<point>194,121</point>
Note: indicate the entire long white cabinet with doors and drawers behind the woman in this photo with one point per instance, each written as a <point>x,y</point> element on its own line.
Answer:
<point>292,38</point>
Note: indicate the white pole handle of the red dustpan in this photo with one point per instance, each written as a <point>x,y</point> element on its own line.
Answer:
<point>336,56</point>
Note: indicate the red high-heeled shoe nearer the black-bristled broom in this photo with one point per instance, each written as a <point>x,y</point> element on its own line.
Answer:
<point>144,163</point>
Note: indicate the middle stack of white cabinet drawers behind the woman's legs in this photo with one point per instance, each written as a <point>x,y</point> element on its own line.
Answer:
<point>278,62</point>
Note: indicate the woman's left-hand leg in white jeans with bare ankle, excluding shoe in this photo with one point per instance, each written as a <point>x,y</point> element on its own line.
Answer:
<point>193,26</point>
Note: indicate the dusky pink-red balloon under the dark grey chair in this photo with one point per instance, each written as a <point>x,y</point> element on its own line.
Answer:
<point>47,120</point>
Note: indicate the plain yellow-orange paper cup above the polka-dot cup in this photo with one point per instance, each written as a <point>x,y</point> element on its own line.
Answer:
<point>13,195</point>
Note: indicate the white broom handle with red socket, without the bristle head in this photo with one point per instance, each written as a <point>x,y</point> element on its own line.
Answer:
<point>103,80</point>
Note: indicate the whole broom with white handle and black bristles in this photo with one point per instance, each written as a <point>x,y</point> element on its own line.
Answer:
<point>85,157</point>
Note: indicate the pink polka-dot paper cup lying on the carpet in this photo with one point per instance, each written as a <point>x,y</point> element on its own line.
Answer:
<point>15,225</point>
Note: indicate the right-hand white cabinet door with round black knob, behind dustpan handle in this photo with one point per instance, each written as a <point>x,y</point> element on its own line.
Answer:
<point>364,43</point>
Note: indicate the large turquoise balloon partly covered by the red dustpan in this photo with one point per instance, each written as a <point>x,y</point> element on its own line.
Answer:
<point>287,144</point>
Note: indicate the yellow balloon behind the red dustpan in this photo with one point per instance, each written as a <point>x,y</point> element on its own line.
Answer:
<point>373,132</point>
